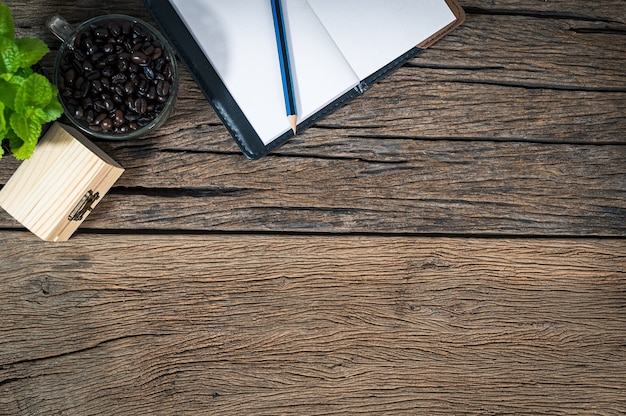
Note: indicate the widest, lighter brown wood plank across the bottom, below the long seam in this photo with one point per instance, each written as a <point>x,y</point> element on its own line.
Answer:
<point>298,325</point>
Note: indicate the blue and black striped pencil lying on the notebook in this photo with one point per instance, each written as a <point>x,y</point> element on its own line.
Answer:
<point>285,64</point>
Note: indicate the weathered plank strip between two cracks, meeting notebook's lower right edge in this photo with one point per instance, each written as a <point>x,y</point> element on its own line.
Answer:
<point>412,106</point>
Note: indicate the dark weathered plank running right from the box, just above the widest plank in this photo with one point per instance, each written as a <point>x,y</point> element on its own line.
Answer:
<point>436,187</point>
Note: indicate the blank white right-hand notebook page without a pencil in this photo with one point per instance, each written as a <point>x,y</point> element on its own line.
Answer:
<point>372,33</point>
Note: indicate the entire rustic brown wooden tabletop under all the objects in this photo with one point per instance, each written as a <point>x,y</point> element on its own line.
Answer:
<point>452,242</point>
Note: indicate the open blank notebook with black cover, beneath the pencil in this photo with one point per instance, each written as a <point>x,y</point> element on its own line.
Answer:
<point>338,49</point>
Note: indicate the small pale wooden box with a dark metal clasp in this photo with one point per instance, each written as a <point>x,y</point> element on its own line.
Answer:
<point>53,192</point>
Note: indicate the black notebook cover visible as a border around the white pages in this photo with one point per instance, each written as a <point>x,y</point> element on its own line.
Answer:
<point>221,99</point>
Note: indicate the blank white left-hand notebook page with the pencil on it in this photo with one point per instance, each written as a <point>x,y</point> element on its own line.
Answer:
<point>237,37</point>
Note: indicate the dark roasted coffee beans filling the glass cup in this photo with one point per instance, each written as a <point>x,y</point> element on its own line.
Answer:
<point>116,77</point>
